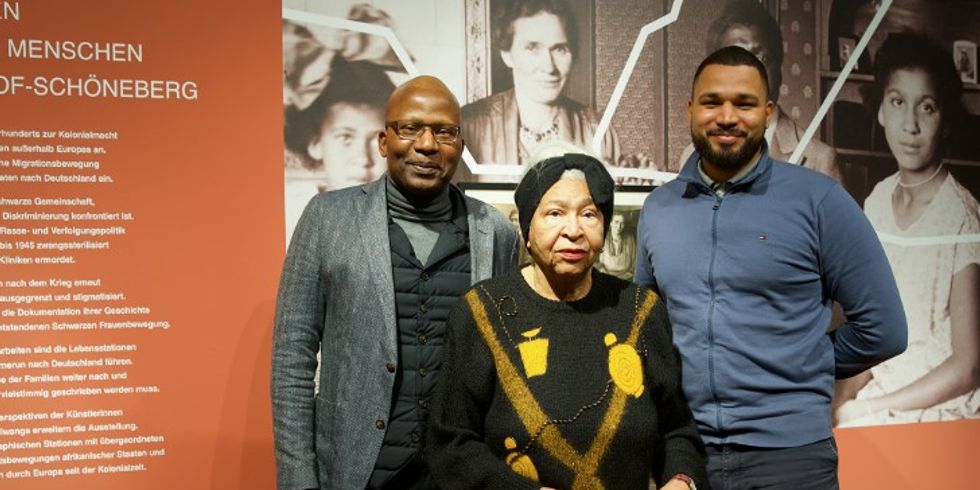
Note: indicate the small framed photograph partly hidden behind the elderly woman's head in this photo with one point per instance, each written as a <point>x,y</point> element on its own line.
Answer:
<point>618,256</point>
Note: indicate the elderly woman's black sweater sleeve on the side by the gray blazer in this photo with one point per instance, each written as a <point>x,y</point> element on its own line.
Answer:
<point>459,457</point>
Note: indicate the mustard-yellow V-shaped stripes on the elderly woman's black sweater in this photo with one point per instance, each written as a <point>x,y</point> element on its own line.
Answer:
<point>585,467</point>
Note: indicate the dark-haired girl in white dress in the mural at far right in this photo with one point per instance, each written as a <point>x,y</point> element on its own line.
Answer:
<point>938,277</point>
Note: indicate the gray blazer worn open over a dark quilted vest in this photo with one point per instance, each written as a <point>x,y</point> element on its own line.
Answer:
<point>336,294</point>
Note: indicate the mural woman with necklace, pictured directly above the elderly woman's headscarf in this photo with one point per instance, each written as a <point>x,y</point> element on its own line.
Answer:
<point>538,42</point>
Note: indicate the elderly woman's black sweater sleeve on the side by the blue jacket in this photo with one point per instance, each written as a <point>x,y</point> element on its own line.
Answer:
<point>683,449</point>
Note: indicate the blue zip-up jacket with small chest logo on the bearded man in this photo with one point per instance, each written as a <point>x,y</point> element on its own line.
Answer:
<point>750,279</point>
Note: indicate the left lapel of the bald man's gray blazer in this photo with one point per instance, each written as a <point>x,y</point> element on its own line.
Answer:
<point>371,218</point>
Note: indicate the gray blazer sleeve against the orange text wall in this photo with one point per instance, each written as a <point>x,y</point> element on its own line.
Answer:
<point>296,341</point>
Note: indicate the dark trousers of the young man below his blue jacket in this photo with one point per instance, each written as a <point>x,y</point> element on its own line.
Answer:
<point>809,467</point>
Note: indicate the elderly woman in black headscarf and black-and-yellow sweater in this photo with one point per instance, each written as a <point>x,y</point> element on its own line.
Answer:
<point>556,375</point>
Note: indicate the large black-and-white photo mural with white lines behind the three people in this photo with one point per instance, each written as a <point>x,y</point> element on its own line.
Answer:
<point>881,96</point>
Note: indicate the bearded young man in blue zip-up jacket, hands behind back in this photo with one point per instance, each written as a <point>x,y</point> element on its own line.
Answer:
<point>750,254</point>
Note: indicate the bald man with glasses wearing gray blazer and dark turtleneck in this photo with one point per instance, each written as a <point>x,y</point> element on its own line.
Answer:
<point>370,276</point>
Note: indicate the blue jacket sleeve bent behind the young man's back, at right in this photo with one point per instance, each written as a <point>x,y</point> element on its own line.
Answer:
<point>857,275</point>
